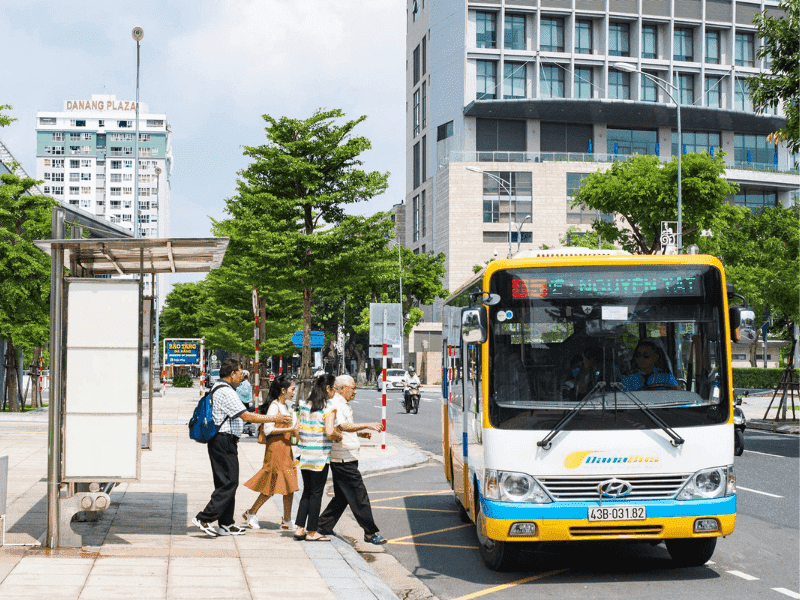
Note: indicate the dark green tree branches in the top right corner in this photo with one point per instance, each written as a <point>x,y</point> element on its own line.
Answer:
<point>782,48</point>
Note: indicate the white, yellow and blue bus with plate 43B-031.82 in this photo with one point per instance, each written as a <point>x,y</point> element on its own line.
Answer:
<point>587,395</point>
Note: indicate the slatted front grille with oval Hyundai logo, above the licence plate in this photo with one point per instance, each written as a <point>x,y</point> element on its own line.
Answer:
<point>645,487</point>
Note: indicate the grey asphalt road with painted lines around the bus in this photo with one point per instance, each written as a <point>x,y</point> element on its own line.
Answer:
<point>416,512</point>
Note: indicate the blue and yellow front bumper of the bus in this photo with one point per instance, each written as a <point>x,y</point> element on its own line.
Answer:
<point>568,521</point>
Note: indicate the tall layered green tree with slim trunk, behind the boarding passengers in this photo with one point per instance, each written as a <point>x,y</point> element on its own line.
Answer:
<point>288,217</point>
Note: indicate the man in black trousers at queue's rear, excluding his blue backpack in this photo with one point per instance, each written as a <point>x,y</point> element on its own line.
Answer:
<point>229,415</point>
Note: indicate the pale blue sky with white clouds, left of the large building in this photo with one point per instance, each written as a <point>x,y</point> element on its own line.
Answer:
<point>214,67</point>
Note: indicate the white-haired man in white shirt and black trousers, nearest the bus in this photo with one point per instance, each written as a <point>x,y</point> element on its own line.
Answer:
<point>348,485</point>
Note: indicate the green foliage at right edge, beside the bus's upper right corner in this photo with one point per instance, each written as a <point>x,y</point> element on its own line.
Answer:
<point>760,253</point>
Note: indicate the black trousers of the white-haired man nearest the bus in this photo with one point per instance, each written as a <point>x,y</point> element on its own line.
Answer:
<point>348,490</point>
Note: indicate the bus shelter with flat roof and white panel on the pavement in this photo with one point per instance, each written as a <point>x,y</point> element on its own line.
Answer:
<point>101,356</point>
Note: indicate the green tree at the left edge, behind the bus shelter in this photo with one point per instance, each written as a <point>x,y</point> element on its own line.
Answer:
<point>24,270</point>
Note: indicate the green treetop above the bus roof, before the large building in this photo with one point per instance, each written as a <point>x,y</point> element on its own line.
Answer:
<point>643,192</point>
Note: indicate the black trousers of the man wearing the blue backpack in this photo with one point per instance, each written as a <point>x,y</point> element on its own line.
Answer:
<point>223,450</point>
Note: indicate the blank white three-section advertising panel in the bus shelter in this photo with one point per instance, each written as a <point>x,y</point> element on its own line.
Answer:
<point>101,404</point>
